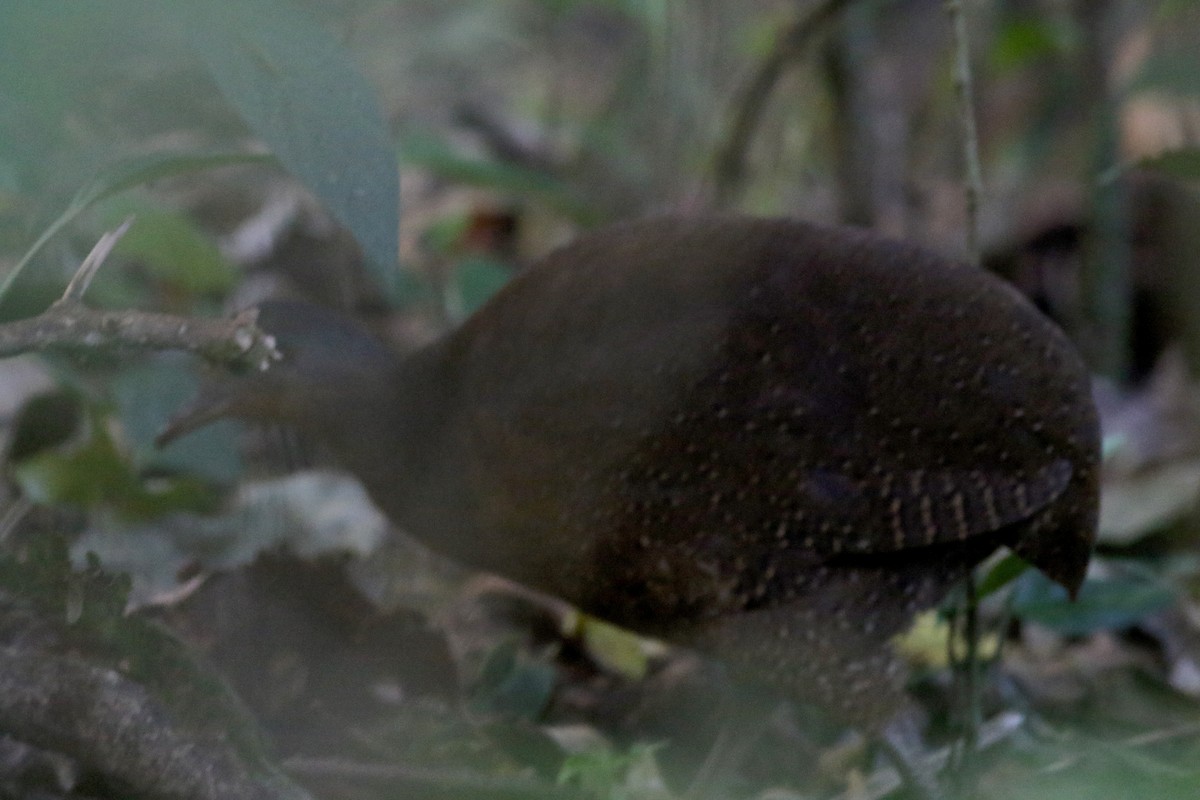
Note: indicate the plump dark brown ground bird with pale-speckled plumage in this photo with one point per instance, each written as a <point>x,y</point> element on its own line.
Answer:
<point>772,442</point>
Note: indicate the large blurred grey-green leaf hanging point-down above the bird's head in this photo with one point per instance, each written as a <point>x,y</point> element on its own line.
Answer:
<point>299,92</point>
